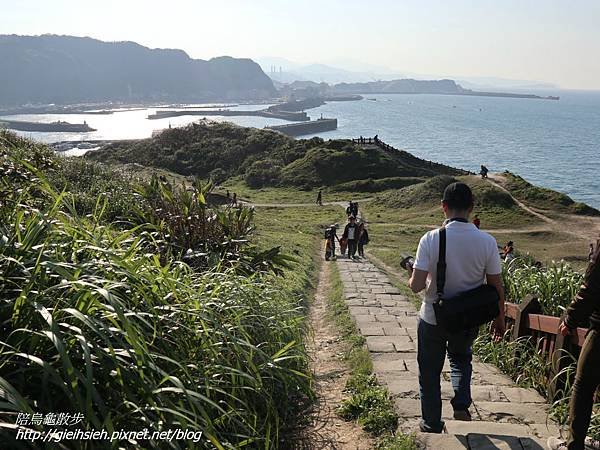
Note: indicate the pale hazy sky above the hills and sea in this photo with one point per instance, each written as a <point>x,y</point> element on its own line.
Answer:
<point>545,40</point>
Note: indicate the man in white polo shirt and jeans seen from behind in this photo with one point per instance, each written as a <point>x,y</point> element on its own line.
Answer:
<point>472,258</point>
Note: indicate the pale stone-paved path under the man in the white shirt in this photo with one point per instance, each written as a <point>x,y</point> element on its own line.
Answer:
<point>504,416</point>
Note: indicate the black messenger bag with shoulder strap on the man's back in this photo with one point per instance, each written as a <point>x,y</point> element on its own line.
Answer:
<point>466,310</point>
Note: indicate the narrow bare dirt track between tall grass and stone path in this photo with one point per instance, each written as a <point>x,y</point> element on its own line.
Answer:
<point>325,430</point>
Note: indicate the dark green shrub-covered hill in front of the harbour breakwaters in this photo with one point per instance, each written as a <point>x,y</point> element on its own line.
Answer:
<point>267,158</point>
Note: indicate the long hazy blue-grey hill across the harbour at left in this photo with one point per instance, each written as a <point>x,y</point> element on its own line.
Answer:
<point>68,69</point>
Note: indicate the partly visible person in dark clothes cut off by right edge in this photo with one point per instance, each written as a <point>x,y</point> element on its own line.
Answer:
<point>584,311</point>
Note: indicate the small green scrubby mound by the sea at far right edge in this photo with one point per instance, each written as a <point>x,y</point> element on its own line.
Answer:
<point>542,198</point>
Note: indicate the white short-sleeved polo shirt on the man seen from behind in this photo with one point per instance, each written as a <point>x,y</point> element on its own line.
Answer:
<point>470,255</point>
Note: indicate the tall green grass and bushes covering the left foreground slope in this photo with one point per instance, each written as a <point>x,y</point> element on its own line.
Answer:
<point>170,319</point>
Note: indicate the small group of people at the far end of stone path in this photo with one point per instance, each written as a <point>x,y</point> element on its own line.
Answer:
<point>353,239</point>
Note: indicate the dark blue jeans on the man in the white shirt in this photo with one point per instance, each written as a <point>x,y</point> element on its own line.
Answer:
<point>433,342</point>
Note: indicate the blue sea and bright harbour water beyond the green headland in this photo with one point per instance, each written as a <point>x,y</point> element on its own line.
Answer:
<point>554,144</point>
